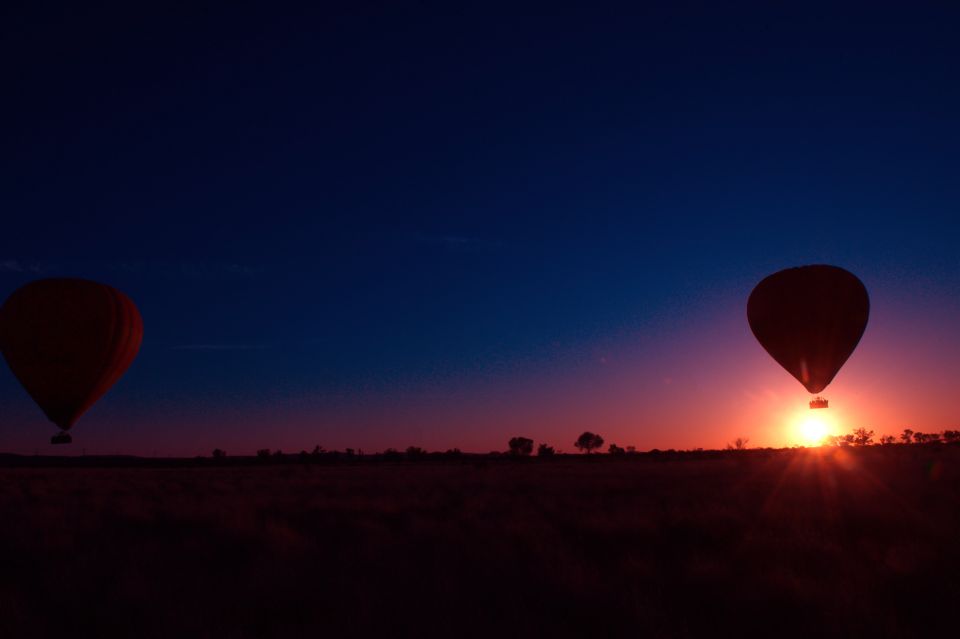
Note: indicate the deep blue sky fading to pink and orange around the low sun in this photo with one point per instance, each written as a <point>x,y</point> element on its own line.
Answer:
<point>380,225</point>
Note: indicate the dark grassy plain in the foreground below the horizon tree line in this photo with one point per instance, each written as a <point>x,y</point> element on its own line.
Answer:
<point>844,543</point>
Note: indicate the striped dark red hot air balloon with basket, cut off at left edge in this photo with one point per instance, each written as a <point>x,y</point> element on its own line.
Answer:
<point>68,341</point>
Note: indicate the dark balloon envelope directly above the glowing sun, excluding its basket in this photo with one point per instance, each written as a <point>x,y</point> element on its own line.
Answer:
<point>810,320</point>
